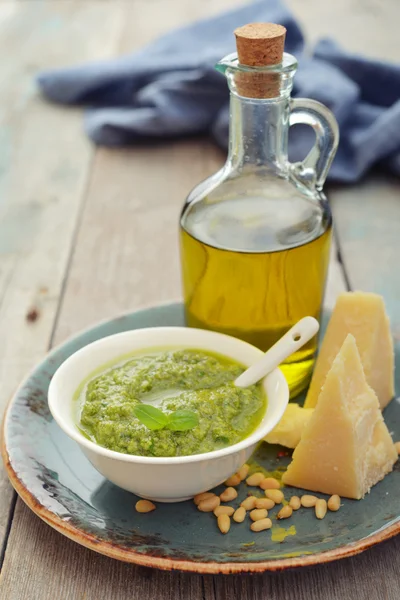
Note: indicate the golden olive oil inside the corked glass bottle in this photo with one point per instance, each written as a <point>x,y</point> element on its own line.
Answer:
<point>260,289</point>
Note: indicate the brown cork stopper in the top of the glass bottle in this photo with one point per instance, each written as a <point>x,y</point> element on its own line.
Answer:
<point>259,45</point>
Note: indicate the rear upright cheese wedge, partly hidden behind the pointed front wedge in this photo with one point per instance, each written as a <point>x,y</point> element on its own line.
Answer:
<point>364,316</point>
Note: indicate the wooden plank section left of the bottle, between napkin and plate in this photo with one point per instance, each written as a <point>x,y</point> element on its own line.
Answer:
<point>127,251</point>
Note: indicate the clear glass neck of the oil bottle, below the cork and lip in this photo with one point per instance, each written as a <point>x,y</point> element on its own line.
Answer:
<point>258,134</point>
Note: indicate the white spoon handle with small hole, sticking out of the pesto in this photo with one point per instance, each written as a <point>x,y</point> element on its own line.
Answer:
<point>293,339</point>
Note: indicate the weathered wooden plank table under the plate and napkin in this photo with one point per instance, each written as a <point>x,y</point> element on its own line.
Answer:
<point>81,229</point>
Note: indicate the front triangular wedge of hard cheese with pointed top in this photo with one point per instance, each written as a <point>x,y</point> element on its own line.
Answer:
<point>346,447</point>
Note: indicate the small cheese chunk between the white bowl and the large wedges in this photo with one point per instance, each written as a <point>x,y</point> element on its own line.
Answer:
<point>290,427</point>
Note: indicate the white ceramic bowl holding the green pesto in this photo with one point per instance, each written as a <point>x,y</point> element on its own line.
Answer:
<point>162,479</point>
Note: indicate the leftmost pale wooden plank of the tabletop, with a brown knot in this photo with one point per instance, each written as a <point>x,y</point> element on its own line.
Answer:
<point>43,163</point>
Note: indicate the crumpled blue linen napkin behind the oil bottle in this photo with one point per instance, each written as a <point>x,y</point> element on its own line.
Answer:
<point>170,88</point>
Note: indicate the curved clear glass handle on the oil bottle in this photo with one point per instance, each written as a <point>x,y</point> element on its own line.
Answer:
<point>312,171</point>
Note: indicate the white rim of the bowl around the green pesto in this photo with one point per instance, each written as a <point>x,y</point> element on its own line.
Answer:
<point>74,433</point>
